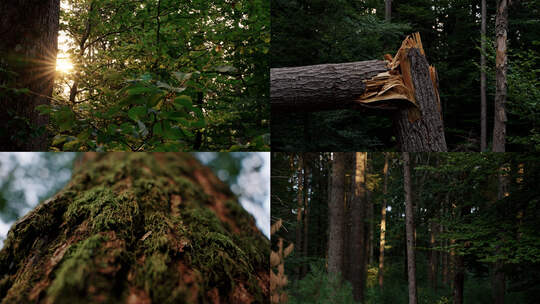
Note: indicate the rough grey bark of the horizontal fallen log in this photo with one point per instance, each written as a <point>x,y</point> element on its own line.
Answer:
<point>321,87</point>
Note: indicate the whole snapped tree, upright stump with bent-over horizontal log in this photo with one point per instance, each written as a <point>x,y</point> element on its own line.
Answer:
<point>405,84</point>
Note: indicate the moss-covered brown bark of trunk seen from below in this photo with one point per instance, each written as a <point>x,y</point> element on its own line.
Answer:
<point>137,228</point>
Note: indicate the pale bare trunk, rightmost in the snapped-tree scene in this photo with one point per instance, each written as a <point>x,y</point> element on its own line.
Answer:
<point>501,27</point>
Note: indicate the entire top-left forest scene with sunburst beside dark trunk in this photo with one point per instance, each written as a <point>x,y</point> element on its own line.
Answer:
<point>150,75</point>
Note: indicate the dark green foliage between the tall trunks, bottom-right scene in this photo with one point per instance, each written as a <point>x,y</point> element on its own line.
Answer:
<point>456,200</point>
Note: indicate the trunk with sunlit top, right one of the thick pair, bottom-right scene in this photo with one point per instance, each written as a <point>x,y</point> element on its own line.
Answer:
<point>358,235</point>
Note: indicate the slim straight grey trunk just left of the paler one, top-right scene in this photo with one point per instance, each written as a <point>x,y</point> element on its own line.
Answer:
<point>483,103</point>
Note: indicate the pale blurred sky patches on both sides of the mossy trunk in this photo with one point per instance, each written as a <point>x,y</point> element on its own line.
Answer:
<point>251,185</point>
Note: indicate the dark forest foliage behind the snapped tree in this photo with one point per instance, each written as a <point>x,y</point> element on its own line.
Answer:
<point>313,32</point>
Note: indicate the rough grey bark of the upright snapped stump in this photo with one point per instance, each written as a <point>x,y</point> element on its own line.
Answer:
<point>427,133</point>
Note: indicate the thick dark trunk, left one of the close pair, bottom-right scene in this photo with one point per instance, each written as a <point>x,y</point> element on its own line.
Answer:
<point>335,208</point>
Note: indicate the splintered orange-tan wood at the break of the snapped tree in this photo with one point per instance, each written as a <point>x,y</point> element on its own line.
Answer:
<point>396,83</point>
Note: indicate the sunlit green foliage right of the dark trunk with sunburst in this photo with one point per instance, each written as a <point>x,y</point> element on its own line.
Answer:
<point>163,75</point>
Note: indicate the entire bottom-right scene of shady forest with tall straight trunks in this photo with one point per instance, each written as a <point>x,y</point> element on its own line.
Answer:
<point>388,227</point>
